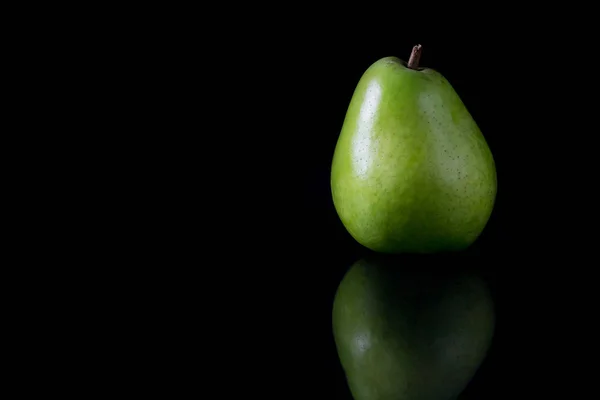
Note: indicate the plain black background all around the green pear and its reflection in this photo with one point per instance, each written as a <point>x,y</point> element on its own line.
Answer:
<point>189,244</point>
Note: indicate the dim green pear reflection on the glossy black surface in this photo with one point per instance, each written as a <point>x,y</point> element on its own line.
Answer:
<point>410,333</point>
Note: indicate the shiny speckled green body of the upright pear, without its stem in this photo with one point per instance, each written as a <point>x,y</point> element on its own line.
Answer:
<point>411,171</point>
